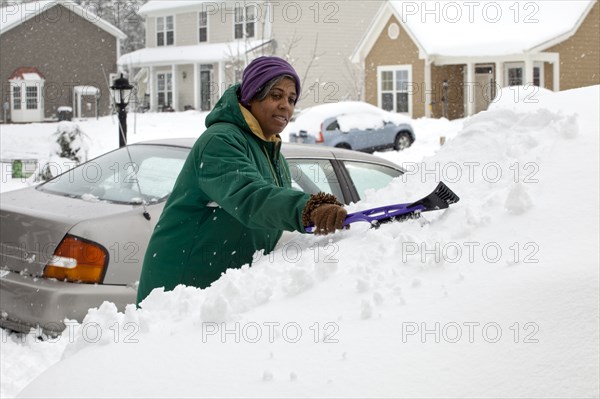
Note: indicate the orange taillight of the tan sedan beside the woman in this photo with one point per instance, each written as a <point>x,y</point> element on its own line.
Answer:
<point>77,260</point>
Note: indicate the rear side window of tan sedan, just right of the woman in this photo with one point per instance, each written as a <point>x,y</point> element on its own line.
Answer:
<point>312,176</point>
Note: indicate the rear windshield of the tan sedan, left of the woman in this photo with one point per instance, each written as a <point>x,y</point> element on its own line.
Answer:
<point>113,177</point>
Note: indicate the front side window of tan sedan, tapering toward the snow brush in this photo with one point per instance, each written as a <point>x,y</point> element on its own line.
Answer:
<point>369,176</point>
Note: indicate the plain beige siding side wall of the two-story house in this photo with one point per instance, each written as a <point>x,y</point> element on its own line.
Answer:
<point>318,39</point>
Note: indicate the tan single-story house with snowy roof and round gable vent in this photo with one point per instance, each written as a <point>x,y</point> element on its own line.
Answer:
<point>451,58</point>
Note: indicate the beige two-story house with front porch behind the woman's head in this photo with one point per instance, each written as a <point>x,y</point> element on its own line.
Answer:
<point>195,49</point>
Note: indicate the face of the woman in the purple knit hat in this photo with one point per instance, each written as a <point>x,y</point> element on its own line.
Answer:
<point>275,111</point>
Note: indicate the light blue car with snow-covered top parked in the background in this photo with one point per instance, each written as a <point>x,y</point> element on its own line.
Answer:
<point>352,125</point>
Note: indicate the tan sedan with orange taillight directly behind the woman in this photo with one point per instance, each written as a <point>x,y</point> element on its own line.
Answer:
<point>75,241</point>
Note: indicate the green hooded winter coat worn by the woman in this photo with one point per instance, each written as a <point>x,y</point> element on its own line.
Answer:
<point>233,197</point>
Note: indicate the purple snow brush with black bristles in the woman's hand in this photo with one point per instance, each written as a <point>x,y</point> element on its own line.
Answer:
<point>440,198</point>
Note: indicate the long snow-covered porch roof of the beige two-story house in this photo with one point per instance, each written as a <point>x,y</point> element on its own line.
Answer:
<point>200,53</point>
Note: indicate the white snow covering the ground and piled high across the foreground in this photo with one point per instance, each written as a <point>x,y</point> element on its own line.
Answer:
<point>497,296</point>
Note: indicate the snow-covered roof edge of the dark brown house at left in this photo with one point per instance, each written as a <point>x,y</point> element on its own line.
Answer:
<point>13,14</point>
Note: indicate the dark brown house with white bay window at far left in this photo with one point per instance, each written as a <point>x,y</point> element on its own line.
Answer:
<point>55,54</point>
